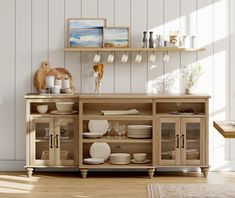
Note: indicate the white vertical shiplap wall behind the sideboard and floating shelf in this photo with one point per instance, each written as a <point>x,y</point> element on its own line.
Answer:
<point>36,30</point>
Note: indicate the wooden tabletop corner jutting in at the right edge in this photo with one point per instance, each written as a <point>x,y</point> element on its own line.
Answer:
<point>225,128</point>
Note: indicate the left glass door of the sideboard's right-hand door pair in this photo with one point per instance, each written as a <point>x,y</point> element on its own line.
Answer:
<point>169,141</point>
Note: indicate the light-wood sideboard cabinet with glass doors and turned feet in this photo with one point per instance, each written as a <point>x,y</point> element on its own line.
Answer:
<point>178,139</point>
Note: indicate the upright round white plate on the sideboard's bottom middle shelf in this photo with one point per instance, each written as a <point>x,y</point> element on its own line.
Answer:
<point>100,150</point>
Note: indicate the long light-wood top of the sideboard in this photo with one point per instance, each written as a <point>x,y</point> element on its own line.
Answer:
<point>118,96</point>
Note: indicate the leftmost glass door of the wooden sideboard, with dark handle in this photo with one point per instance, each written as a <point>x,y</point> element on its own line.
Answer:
<point>41,144</point>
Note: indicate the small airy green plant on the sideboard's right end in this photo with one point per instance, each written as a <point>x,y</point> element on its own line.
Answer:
<point>192,74</point>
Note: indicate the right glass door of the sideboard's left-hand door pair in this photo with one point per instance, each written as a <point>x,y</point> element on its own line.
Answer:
<point>65,146</point>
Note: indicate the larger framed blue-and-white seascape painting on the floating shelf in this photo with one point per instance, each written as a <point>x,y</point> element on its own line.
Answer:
<point>86,32</point>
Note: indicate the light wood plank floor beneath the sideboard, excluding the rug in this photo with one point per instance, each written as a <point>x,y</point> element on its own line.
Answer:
<point>98,184</point>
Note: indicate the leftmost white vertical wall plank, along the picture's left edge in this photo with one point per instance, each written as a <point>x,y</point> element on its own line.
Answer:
<point>7,80</point>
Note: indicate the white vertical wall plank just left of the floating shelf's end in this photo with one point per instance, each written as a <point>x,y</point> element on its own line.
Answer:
<point>56,33</point>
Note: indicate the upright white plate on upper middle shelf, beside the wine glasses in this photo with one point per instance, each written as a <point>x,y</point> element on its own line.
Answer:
<point>98,126</point>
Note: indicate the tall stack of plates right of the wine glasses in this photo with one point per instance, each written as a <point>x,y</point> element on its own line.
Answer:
<point>139,131</point>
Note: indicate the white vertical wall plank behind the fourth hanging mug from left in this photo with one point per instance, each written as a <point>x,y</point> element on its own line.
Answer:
<point>138,25</point>
